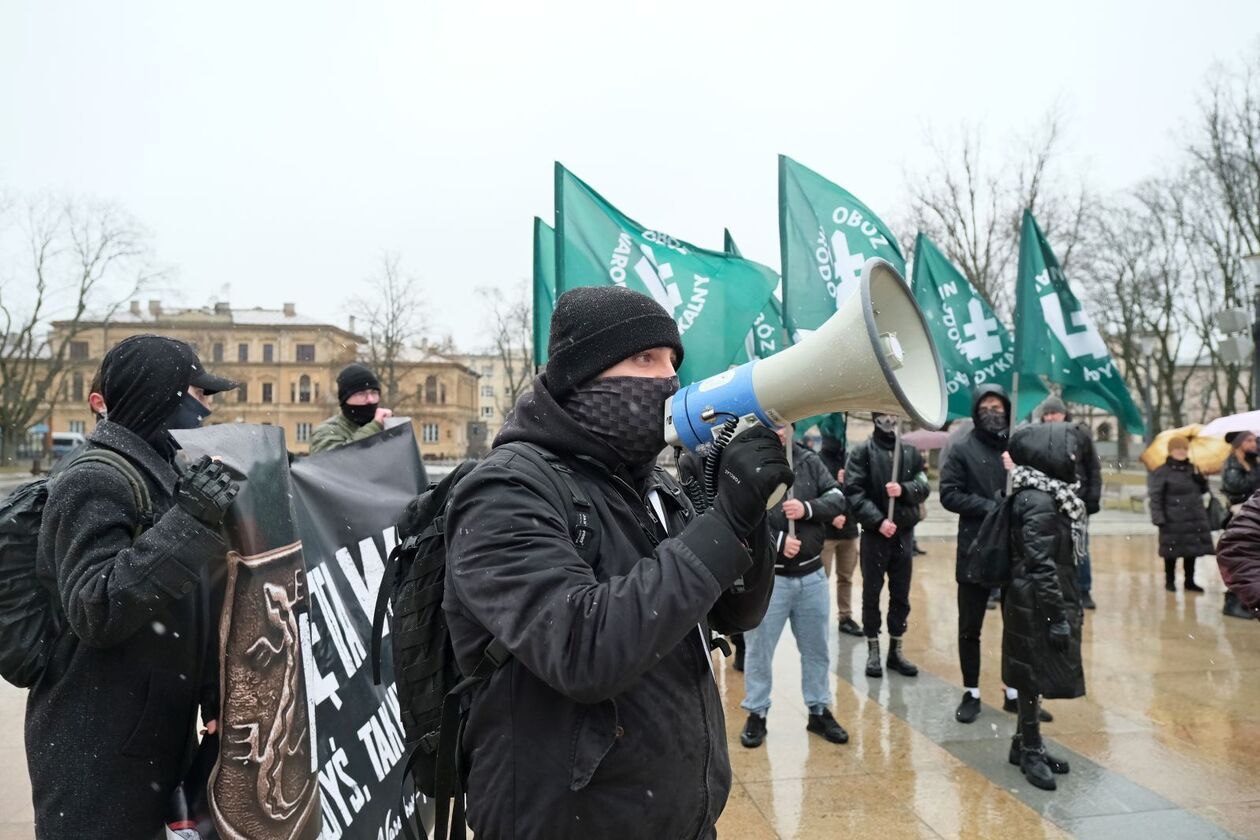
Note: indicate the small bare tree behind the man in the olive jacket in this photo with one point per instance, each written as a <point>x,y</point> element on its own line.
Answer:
<point>392,313</point>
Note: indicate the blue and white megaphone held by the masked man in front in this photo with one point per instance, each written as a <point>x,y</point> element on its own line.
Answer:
<point>875,355</point>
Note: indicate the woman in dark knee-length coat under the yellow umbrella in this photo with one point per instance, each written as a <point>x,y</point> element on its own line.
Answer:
<point>1176,493</point>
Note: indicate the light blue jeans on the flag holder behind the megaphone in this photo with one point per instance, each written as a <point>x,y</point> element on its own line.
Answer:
<point>805,603</point>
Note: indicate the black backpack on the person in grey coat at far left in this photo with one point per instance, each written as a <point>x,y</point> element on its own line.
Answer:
<point>30,615</point>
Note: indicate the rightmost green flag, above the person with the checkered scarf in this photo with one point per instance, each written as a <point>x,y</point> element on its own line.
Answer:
<point>1057,339</point>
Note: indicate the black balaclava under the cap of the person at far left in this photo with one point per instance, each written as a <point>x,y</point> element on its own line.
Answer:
<point>144,381</point>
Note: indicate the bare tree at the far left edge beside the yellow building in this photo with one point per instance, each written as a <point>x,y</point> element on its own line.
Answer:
<point>74,256</point>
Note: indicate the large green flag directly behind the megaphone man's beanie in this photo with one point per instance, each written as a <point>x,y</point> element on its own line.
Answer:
<point>714,297</point>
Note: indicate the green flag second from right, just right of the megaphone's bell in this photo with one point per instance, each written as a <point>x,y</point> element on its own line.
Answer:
<point>975,346</point>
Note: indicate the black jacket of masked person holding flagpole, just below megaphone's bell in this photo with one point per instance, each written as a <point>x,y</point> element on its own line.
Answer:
<point>870,469</point>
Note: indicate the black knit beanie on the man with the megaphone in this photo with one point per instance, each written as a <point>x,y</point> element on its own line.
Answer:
<point>594,328</point>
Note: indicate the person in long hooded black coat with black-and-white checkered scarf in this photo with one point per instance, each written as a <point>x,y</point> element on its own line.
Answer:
<point>1041,637</point>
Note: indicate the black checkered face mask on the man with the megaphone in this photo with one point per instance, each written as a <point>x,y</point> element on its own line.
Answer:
<point>628,414</point>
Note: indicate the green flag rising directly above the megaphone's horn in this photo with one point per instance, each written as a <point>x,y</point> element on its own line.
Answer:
<point>826,236</point>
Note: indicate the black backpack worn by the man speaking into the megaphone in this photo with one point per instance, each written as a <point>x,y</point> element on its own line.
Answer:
<point>432,690</point>
